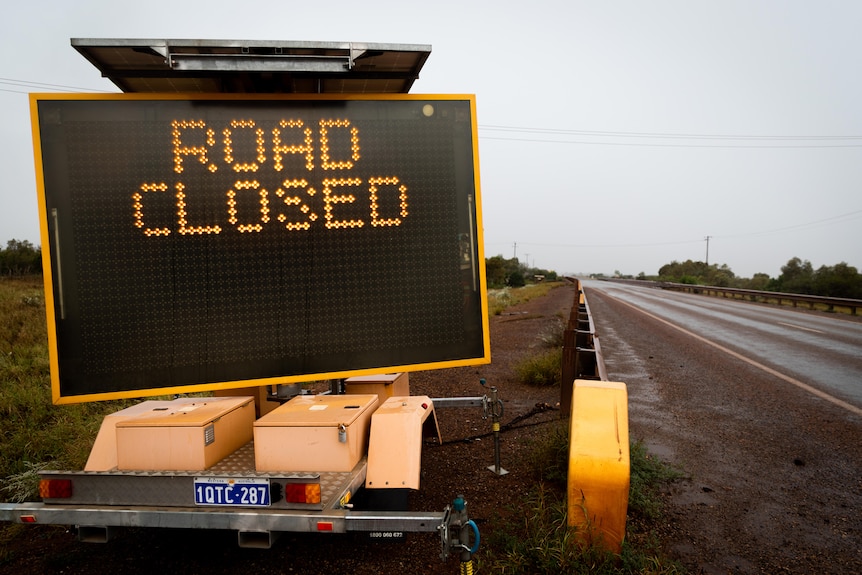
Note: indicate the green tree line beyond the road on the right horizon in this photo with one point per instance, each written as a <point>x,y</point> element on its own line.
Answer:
<point>797,276</point>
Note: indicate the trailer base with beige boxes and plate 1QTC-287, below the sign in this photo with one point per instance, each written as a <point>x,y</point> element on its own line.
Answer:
<point>148,468</point>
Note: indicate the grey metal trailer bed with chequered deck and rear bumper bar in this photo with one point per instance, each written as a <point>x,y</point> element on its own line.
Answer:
<point>103,500</point>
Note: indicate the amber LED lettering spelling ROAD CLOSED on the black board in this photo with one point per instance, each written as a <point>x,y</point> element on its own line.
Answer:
<point>244,147</point>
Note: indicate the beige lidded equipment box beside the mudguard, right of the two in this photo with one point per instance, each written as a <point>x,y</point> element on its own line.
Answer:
<point>314,433</point>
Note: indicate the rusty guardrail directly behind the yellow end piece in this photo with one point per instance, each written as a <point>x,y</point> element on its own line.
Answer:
<point>582,354</point>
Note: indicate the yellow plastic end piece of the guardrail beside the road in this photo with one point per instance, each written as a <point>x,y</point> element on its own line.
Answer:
<point>599,464</point>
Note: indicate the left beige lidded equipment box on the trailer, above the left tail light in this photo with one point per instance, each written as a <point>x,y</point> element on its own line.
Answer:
<point>189,434</point>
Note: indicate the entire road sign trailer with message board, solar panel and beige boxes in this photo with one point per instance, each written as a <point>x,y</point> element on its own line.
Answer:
<point>245,218</point>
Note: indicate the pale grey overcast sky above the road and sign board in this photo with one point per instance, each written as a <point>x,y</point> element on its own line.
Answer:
<point>612,135</point>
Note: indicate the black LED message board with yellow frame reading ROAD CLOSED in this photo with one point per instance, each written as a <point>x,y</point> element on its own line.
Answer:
<point>196,242</point>
